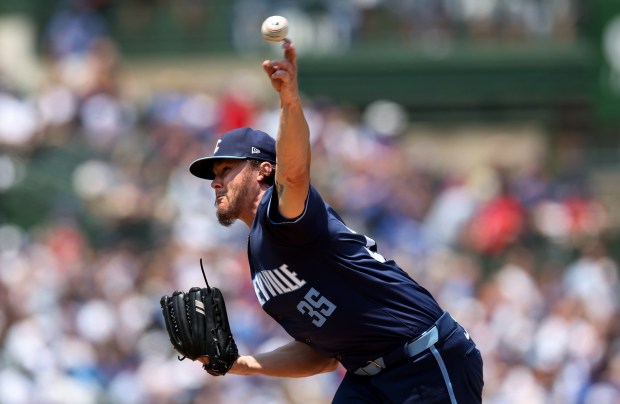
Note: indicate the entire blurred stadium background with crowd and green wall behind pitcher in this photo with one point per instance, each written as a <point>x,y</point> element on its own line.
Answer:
<point>477,141</point>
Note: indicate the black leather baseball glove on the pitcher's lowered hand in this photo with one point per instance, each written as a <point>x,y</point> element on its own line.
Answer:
<point>198,327</point>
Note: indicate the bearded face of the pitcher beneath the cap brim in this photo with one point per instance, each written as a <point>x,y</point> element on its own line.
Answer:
<point>232,185</point>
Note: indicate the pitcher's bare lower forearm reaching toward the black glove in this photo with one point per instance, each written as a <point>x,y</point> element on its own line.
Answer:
<point>292,360</point>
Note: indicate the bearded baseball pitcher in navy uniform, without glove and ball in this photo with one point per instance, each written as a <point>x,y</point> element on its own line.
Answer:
<point>325,284</point>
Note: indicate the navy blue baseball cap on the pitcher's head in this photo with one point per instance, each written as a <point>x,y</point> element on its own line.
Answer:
<point>240,144</point>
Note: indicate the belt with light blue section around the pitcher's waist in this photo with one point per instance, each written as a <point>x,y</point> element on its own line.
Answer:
<point>427,339</point>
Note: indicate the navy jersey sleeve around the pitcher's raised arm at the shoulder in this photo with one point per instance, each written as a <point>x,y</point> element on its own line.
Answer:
<point>304,229</point>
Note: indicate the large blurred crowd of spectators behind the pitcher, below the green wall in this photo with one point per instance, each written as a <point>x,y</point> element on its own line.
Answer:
<point>99,217</point>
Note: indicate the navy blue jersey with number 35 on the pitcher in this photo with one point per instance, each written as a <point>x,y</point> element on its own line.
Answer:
<point>327,285</point>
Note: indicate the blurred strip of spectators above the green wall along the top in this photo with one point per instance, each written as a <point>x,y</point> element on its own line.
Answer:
<point>322,25</point>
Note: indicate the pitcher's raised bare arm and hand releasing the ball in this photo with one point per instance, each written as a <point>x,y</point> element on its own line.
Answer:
<point>292,179</point>
